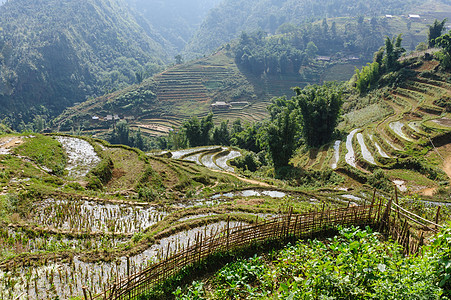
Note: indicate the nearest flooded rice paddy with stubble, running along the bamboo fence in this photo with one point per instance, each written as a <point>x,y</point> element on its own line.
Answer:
<point>65,280</point>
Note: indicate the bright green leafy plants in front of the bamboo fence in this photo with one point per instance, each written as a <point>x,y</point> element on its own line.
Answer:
<point>355,264</point>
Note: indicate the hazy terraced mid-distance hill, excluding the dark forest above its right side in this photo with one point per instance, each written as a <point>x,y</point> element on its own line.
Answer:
<point>183,91</point>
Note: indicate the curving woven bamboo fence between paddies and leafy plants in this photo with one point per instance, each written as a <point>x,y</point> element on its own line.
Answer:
<point>391,219</point>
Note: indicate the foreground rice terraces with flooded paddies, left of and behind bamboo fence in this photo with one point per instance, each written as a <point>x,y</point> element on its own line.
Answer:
<point>78,212</point>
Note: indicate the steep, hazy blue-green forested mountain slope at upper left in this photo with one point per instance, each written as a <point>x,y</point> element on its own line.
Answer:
<point>56,53</point>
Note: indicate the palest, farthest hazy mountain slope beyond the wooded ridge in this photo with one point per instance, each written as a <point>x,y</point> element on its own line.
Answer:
<point>231,17</point>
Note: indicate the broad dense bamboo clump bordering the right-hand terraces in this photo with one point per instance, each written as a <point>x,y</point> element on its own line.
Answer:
<point>320,108</point>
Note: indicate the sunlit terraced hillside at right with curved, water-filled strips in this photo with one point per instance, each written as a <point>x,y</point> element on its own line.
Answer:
<point>406,129</point>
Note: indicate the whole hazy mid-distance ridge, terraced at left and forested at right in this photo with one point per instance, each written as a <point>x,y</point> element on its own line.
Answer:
<point>251,70</point>
